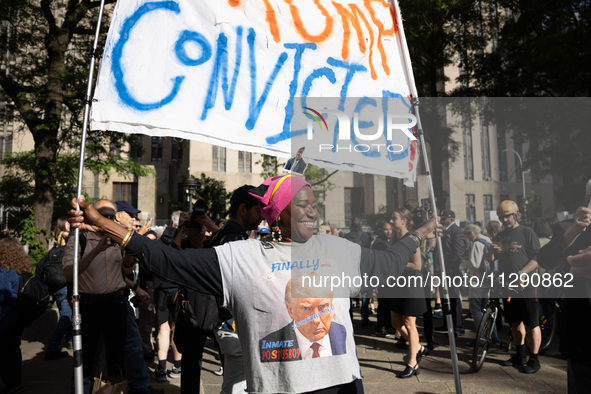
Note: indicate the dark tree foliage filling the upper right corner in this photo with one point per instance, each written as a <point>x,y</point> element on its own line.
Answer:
<point>539,49</point>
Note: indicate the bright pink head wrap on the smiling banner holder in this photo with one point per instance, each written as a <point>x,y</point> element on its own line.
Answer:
<point>275,194</point>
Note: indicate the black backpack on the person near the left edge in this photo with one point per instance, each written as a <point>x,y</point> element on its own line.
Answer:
<point>32,300</point>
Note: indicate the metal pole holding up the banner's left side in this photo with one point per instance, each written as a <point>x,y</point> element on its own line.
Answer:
<point>76,318</point>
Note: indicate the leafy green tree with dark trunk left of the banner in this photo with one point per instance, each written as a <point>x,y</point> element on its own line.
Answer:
<point>45,49</point>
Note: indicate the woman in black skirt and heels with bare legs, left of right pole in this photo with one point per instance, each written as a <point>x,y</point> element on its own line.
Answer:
<point>411,300</point>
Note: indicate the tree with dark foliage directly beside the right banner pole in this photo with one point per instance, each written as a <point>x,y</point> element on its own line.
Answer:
<point>438,32</point>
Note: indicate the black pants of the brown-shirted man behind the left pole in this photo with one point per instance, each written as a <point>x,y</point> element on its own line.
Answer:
<point>103,316</point>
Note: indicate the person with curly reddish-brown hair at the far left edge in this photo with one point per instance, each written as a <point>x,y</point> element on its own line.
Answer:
<point>13,262</point>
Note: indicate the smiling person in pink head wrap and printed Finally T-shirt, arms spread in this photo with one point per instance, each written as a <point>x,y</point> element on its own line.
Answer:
<point>296,342</point>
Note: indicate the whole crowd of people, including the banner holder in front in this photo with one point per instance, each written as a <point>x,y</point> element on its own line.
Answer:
<point>144,293</point>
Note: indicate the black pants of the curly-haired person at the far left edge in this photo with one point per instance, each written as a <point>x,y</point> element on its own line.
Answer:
<point>11,360</point>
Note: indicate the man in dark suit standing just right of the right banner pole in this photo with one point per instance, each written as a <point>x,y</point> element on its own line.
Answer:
<point>454,245</point>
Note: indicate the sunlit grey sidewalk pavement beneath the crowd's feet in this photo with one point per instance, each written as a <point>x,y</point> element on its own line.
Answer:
<point>379,358</point>
